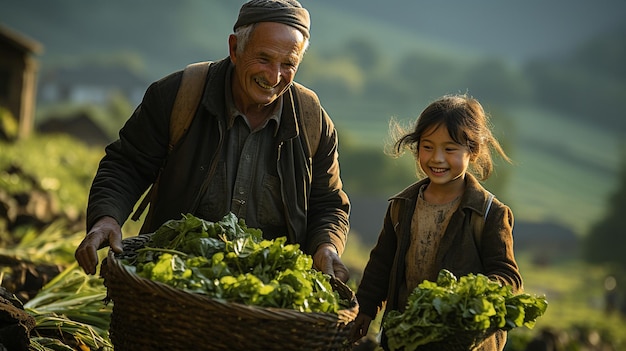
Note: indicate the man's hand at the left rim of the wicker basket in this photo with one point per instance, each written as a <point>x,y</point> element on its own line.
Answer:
<point>106,231</point>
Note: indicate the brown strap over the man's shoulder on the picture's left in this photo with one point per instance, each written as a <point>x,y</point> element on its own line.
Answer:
<point>187,99</point>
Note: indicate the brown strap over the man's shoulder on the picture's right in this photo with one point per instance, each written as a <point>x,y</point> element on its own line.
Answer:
<point>310,115</point>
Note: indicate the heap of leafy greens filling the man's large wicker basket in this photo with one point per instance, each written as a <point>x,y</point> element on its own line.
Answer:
<point>226,260</point>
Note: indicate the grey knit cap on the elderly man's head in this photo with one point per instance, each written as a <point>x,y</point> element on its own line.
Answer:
<point>288,12</point>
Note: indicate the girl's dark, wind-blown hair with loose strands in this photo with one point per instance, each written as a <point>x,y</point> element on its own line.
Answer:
<point>468,125</point>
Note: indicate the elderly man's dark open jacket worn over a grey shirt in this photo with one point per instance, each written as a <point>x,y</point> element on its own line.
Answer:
<point>314,203</point>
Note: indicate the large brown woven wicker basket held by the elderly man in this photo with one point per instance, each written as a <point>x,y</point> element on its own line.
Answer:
<point>149,315</point>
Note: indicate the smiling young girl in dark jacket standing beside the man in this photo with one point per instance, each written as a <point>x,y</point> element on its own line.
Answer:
<point>429,226</point>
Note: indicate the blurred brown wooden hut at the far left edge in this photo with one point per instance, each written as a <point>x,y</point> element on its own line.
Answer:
<point>18,77</point>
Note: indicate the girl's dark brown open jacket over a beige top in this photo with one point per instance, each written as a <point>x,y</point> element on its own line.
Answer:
<point>384,274</point>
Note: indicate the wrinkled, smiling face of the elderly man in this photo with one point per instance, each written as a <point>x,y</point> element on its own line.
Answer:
<point>267,65</point>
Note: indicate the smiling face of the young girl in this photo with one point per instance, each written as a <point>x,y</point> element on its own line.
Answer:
<point>441,158</point>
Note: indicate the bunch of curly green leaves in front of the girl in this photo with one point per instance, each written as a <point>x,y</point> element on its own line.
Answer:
<point>448,308</point>
